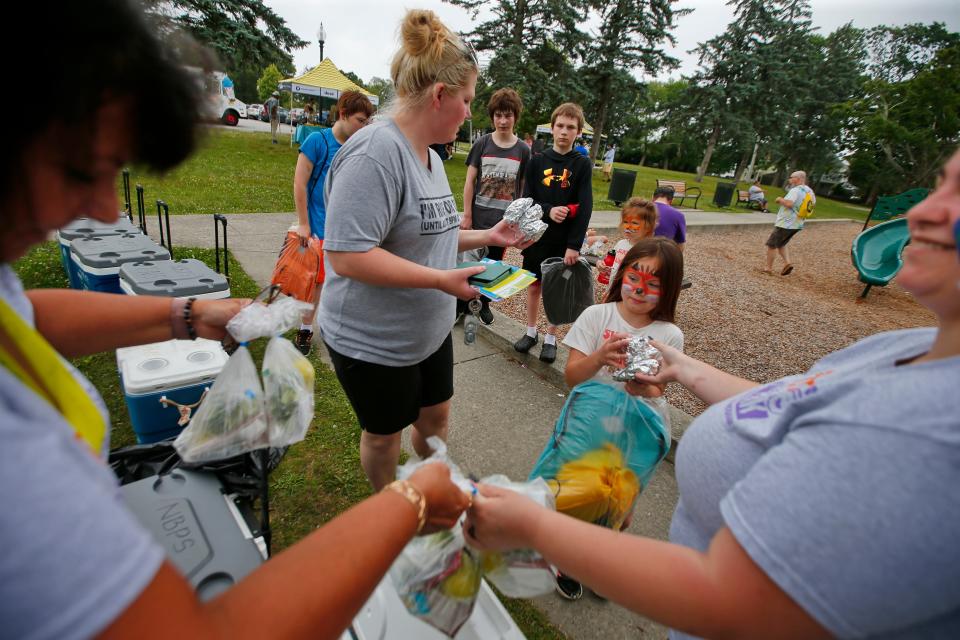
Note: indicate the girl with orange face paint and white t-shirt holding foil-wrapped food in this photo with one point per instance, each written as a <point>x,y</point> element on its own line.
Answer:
<point>641,300</point>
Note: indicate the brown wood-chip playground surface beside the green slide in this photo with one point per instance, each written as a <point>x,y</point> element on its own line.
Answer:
<point>764,327</point>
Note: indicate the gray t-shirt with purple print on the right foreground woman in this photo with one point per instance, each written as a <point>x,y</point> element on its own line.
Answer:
<point>841,484</point>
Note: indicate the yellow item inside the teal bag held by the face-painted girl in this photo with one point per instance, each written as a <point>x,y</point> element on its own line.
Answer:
<point>596,487</point>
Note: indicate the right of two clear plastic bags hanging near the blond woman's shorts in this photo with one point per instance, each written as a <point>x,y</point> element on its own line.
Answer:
<point>288,384</point>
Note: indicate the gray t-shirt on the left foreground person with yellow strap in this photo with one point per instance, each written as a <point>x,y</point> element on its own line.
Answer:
<point>73,557</point>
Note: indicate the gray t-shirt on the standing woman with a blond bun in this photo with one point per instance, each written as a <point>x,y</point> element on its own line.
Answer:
<point>379,194</point>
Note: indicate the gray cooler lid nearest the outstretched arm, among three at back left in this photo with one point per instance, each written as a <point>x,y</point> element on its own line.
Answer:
<point>174,279</point>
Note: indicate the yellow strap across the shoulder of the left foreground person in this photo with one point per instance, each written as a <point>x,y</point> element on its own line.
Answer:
<point>60,388</point>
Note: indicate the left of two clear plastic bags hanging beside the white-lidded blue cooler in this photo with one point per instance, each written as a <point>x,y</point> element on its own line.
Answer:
<point>231,420</point>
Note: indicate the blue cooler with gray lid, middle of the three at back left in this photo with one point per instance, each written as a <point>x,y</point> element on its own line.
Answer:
<point>98,258</point>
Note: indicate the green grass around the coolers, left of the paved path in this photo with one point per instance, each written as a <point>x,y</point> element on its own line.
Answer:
<point>318,479</point>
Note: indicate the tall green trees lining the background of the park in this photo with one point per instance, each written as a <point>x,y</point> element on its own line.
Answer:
<point>869,110</point>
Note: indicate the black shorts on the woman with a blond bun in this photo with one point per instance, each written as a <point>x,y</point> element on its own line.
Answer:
<point>387,399</point>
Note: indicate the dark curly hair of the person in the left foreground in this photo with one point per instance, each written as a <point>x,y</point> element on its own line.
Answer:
<point>90,53</point>
